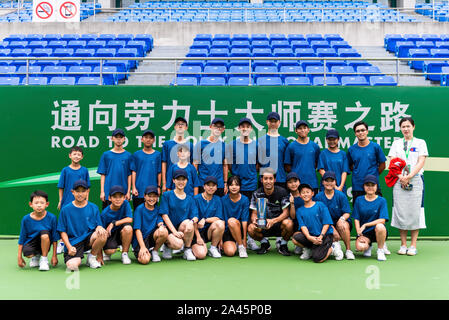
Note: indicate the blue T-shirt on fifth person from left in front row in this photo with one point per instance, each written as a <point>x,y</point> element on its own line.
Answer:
<point>177,209</point>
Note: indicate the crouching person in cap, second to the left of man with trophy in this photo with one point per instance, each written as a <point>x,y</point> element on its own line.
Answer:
<point>211,225</point>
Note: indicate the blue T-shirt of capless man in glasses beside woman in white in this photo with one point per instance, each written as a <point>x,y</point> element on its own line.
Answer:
<point>366,160</point>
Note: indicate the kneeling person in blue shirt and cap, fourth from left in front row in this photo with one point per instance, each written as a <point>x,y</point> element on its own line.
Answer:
<point>150,232</point>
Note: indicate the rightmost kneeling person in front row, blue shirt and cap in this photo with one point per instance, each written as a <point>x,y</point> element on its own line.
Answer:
<point>370,214</point>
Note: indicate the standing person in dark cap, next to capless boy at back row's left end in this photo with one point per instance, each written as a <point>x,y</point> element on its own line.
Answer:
<point>115,168</point>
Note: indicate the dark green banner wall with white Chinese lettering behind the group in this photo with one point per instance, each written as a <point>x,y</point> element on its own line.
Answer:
<point>40,125</point>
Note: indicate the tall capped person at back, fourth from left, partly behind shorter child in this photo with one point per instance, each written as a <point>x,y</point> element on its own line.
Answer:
<point>169,155</point>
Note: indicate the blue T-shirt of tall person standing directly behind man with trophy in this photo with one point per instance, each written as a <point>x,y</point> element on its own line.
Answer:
<point>271,152</point>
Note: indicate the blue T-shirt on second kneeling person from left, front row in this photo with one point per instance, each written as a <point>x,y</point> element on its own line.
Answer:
<point>79,223</point>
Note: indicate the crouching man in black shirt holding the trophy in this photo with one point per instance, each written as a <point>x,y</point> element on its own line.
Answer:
<point>278,224</point>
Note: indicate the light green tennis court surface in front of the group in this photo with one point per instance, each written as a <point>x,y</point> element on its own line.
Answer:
<point>269,276</point>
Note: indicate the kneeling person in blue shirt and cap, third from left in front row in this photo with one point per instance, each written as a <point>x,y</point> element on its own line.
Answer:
<point>117,219</point>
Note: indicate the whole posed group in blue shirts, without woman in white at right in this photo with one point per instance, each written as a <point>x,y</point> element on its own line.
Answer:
<point>189,195</point>
